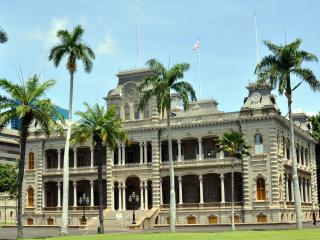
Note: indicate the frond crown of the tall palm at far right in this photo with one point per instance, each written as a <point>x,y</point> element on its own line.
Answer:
<point>284,61</point>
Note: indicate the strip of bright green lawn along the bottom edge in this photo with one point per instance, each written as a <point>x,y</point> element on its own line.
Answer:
<point>306,234</point>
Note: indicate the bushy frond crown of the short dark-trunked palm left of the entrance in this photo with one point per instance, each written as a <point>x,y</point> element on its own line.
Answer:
<point>97,124</point>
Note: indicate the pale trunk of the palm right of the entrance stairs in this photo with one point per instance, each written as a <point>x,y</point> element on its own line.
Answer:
<point>171,173</point>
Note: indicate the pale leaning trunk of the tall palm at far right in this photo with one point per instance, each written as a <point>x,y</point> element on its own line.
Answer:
<point>297,197</point>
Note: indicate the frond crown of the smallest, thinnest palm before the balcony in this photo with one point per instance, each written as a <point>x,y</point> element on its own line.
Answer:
<point>233,143</point>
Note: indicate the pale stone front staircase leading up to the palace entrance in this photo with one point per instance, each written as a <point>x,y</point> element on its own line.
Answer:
<point>122,219</point>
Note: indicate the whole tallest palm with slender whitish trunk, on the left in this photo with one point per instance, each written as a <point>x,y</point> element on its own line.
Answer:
<point>72,47</point>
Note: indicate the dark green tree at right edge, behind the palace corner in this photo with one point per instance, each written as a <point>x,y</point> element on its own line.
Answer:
<point>315,122</point>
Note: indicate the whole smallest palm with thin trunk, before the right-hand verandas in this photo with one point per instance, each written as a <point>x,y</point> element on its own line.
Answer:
<point>233,142</point>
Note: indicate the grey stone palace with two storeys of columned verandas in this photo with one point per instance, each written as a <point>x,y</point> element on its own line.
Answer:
<point>263,182</point>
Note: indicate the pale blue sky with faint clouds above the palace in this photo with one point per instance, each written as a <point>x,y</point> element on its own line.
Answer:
<point>168,30</point>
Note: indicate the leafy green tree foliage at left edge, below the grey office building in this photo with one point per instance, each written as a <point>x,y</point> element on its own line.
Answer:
<point>8,179</point>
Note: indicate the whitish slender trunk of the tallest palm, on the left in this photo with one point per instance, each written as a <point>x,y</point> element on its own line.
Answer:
<point>65,196</point>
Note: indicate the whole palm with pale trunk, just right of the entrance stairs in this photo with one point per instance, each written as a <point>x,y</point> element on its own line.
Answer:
<point>159,86</point>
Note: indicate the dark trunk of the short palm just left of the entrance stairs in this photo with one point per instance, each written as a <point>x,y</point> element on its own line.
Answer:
<point>100,192</point>
